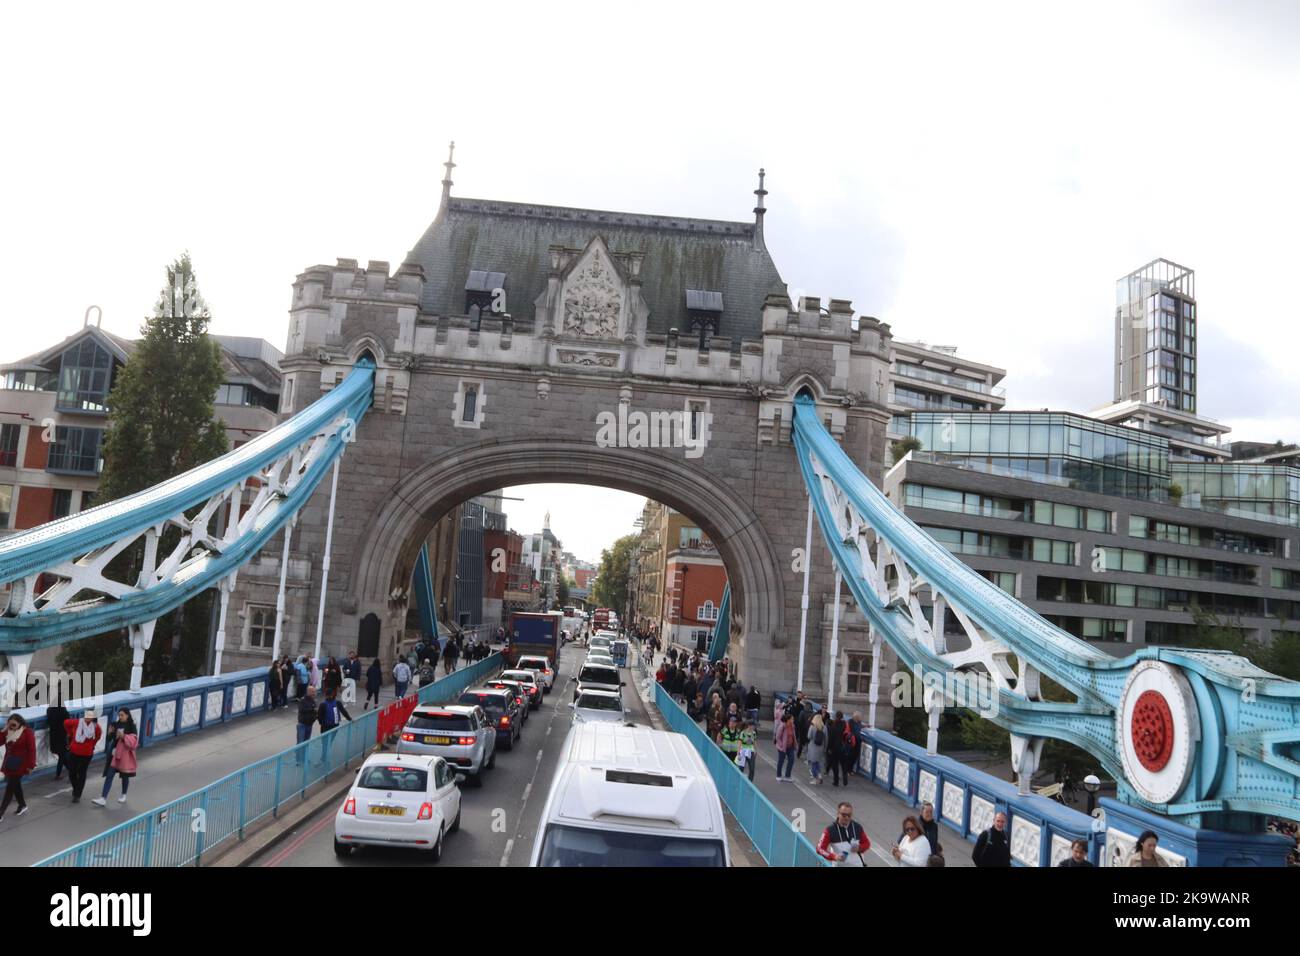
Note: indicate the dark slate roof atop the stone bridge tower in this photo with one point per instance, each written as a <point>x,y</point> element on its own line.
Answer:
<point>681,254</point>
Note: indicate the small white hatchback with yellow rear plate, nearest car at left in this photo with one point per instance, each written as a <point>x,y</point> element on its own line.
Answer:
<point>400,801</point>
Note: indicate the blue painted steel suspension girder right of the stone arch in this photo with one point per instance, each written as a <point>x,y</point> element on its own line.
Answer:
<point>1247,739</point>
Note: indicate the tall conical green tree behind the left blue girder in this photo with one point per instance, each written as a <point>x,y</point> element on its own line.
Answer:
<point>161,425</point>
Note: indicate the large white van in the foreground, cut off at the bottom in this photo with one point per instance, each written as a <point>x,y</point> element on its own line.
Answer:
<point>631,797</point>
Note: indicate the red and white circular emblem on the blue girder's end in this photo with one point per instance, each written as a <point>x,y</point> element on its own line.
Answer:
<point>1158,728</point>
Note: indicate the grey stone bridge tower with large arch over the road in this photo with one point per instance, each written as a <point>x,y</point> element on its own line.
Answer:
<point>513,332</point>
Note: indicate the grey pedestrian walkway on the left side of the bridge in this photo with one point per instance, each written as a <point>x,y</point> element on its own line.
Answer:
<point>168,771</point>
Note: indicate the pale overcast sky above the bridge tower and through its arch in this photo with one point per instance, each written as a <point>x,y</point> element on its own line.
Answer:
<point>976,175</point>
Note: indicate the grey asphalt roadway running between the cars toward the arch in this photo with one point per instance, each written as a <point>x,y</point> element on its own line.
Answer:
<point>499,821</point>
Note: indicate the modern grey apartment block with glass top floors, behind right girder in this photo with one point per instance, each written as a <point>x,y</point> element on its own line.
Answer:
<point>1103,530</point>
